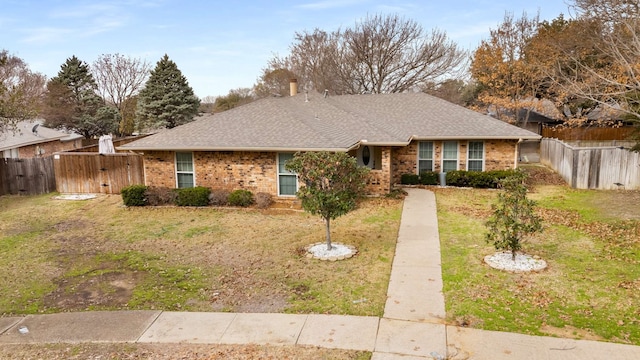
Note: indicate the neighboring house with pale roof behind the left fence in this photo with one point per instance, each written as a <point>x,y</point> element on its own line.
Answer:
<point>30,139</point>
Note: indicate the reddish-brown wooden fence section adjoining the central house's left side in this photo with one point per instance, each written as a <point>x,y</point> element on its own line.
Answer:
<point>78,173</point>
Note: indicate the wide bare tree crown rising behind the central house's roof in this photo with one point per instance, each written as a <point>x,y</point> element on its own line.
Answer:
<point>382,54</point>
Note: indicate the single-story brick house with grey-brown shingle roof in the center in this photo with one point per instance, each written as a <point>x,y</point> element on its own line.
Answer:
<point>393,134</point>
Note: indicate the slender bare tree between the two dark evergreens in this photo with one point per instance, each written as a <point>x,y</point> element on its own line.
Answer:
<point>119,78</point>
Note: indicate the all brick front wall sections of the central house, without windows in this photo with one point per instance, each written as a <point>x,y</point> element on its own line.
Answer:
<point>257,171</point>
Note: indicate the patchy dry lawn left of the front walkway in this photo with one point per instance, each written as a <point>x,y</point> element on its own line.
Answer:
<point>100,255</point>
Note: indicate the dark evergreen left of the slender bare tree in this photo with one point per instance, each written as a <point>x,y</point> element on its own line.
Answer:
<point>72,102</point>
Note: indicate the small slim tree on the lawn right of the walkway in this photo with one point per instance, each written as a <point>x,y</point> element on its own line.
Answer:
<point>513,217</point>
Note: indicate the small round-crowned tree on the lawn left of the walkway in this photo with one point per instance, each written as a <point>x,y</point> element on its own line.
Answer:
<point>331,184</point>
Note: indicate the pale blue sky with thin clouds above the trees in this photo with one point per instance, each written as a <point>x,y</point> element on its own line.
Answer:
<point>222,45</point>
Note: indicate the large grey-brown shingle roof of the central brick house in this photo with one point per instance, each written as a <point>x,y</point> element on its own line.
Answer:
<point>336,123</point>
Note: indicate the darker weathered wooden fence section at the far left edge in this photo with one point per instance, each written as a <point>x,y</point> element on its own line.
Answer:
<point>27,176</point>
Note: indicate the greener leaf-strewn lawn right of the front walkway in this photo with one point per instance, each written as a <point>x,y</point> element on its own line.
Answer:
<point>590,289</point>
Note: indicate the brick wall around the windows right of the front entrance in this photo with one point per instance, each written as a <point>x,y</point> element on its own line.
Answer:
<point>498,155</point>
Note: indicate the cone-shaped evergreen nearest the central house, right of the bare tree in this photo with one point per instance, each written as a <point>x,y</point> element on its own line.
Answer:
<point>167,100</point>
